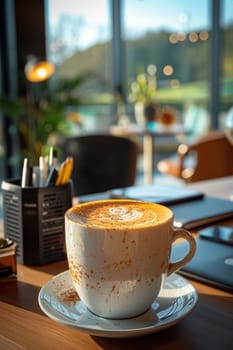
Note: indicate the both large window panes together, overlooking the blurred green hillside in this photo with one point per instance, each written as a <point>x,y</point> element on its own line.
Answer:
<point>174,36</point>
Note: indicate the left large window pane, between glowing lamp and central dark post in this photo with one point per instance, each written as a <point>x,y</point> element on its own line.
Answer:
<point>79,43</point>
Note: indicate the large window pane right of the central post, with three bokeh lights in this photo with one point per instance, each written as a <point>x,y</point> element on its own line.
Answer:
<point>174,36</point>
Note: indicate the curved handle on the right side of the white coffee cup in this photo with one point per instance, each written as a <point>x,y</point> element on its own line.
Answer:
<point>182,233</point>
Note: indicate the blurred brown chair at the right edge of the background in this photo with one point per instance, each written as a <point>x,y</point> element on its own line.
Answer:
<point>210,156</point>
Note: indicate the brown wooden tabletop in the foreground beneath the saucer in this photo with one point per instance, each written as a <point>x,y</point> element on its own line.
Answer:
<point>24,326</point>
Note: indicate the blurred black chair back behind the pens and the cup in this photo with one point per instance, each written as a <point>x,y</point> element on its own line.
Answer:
<point>101,162</point>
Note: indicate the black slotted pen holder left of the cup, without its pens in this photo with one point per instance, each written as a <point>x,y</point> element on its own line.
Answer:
<point>34,220</point>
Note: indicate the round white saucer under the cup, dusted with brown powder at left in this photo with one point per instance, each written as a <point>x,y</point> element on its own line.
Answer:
<point>59,301</point>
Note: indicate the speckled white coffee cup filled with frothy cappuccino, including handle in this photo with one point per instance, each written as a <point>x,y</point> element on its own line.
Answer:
<point>118,253</point>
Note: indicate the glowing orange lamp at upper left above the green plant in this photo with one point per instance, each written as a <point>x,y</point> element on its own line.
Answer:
<point>37,70</point>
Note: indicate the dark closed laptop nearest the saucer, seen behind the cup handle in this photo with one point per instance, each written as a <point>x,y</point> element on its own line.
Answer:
<point>212,263</point>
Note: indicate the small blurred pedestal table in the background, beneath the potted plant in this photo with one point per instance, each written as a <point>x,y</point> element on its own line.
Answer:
<point>148,135</point>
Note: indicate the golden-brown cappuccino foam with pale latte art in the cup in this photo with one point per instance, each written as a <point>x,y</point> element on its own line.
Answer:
<point>120,213</point>
